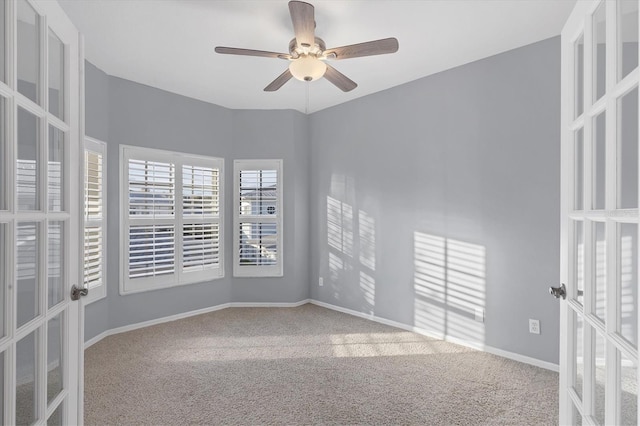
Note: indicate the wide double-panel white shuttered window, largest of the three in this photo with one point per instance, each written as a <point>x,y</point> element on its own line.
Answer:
<point>171,219</point>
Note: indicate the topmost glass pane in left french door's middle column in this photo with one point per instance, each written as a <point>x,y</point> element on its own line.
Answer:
<point>28,53</point>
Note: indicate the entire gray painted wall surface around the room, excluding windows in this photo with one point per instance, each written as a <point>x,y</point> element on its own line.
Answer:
<point>419,204</point>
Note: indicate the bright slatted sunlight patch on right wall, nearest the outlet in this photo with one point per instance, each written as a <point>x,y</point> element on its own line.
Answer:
<point>449,286</point>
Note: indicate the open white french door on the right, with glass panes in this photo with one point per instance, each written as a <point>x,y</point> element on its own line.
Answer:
<point>599,244</point>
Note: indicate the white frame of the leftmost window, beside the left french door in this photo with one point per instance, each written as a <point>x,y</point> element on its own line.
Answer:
<point>98,147</point>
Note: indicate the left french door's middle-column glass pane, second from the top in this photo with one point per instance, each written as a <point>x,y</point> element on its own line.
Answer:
<point>28,161</point>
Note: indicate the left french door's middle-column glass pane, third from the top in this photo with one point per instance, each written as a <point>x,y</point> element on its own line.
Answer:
<point>27,269</point>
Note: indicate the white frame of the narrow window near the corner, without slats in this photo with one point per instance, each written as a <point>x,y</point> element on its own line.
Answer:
<point>261,270</point>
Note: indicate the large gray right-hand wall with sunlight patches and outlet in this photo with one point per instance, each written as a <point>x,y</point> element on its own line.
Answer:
<point>441,196</point>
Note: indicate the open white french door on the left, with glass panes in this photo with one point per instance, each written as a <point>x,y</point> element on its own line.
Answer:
<point>39,214</point>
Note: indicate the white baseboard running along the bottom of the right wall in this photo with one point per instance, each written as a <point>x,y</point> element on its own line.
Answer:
<point>474,345</point>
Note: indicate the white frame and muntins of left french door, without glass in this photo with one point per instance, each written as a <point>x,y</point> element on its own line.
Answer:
<point>51,16</point>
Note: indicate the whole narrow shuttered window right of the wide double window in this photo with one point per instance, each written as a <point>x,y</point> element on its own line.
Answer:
<point>257,218</point>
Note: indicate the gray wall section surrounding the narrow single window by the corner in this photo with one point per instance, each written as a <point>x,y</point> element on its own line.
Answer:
<point>270,135</point>
